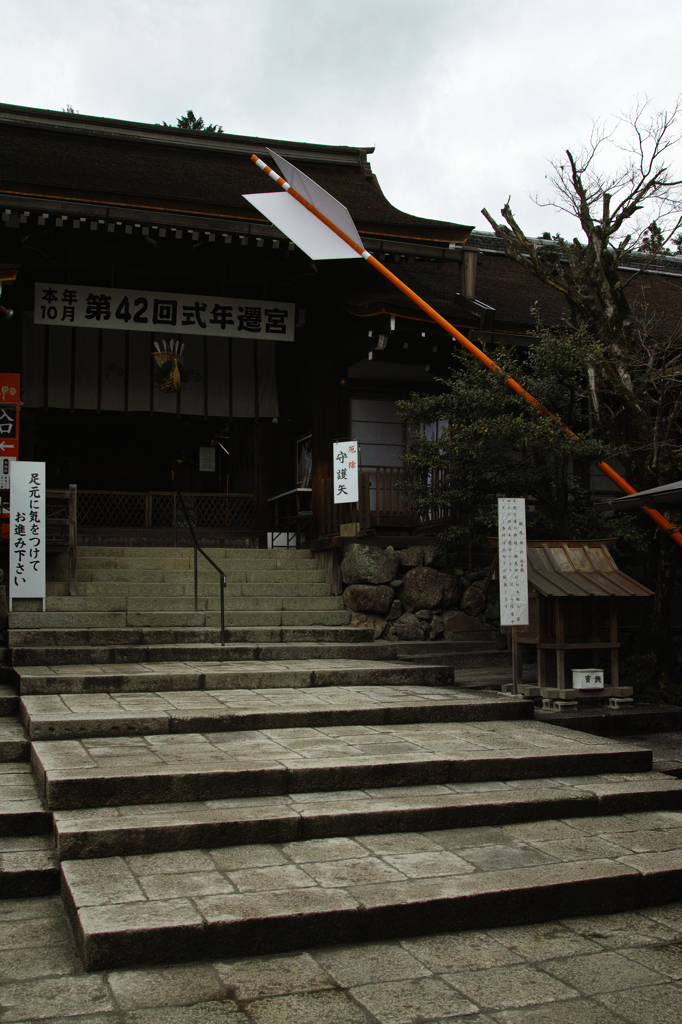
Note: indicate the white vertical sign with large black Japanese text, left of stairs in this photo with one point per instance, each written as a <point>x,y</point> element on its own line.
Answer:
<point>27,530</point>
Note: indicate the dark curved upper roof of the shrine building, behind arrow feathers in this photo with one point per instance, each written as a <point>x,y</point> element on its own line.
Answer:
<point>99,160</point>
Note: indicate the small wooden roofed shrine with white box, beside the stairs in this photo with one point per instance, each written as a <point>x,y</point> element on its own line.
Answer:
<point>573,616</point>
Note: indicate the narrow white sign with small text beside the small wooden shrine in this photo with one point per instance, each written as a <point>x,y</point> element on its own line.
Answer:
<point>514,563</point>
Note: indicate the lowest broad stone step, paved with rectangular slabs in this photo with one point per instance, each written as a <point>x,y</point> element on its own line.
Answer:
<point>237,902</point>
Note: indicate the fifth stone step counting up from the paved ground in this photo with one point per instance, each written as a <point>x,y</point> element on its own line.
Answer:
<point>212,675</point>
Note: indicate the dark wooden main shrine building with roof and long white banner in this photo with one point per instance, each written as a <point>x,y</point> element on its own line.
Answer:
<point>120,241</point>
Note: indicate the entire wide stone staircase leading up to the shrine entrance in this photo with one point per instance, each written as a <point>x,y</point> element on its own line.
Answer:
<point>303,784</point>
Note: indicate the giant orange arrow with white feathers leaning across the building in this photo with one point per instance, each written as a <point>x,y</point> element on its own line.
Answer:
<point>322,227</point>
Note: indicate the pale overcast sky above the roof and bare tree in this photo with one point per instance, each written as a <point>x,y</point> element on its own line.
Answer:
<point>463,100</point>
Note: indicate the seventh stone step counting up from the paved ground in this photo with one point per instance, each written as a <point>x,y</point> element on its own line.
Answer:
<point>134,636</point>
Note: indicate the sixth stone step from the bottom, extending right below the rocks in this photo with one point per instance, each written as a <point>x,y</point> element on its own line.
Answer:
<point>232,652</point>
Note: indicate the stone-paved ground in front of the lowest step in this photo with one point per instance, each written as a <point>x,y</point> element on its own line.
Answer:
<point>602,970</point>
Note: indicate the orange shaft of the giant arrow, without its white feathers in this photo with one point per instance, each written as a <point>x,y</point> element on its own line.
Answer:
<point>658,519</point>
